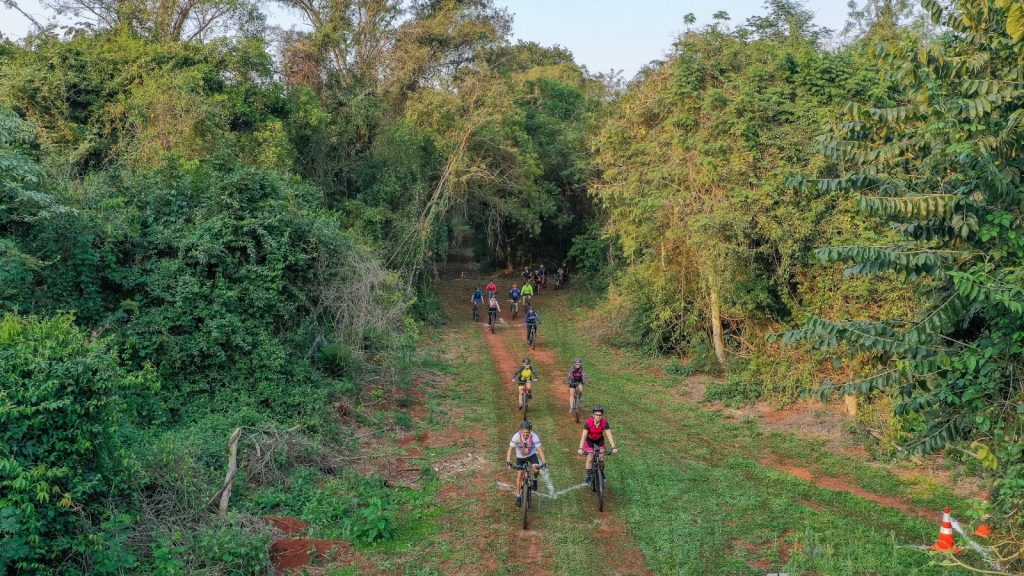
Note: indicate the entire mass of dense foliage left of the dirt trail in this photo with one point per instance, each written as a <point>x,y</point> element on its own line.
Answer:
<point>198,236</point>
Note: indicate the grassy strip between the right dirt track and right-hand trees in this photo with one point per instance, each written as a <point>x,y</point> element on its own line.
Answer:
<point>698,501</point>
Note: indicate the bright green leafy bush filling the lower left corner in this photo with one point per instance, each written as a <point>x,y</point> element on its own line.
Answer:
<point>62,454</point>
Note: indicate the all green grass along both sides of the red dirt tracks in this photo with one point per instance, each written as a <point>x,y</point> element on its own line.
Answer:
<point>690,484</point>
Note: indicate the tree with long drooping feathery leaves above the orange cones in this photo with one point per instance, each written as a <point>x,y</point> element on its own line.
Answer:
<point>942,164</point>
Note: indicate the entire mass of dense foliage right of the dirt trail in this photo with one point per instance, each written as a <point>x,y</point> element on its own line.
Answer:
<point>724,204</point>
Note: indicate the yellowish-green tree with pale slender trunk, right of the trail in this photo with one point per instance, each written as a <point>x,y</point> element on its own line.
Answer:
<point>694,162</point>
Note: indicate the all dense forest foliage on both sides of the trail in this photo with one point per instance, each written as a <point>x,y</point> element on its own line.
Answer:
<point>207,225</point>
